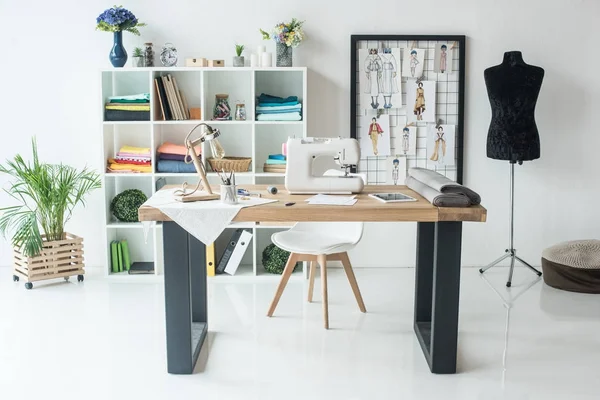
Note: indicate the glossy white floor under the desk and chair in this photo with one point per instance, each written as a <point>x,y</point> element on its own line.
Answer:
<point>105,340</point>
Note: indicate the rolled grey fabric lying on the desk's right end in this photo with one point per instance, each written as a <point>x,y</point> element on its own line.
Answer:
<point>439,190</point>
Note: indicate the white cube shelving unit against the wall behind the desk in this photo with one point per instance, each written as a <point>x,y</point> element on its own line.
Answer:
<point>250,138</point>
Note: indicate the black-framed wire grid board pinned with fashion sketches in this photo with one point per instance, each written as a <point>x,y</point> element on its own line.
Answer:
<point>439,101</point>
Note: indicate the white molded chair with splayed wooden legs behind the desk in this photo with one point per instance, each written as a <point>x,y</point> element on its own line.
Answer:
<point>319,242</point>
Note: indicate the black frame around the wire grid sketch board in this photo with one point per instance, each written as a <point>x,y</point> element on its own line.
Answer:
<point>460,39</point>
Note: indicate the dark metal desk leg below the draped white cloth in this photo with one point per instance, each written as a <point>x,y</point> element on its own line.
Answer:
<point>185,298</point>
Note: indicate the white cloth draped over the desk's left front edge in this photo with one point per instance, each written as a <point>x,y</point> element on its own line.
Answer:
<point>205,220</point>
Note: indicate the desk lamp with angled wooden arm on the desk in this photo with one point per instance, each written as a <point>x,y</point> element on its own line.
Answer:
<point>203,190</point>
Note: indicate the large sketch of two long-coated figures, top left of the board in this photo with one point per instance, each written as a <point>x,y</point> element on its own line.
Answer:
<point>380,78</point>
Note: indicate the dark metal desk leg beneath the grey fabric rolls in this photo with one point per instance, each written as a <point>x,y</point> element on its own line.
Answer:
<point>437,293</point>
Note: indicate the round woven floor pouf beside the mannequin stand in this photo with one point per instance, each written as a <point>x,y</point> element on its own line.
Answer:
<point>573,266</point>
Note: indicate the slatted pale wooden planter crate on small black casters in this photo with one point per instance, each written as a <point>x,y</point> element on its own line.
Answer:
<point>58,259</point>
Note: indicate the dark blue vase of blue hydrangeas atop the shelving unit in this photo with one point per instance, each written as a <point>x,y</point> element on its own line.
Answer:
<point>117,20</point>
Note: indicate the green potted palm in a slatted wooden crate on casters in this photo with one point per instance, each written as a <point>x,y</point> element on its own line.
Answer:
<point>46,195</point>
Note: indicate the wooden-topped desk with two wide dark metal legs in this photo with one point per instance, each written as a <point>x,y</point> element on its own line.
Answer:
<point>437,277</point>
